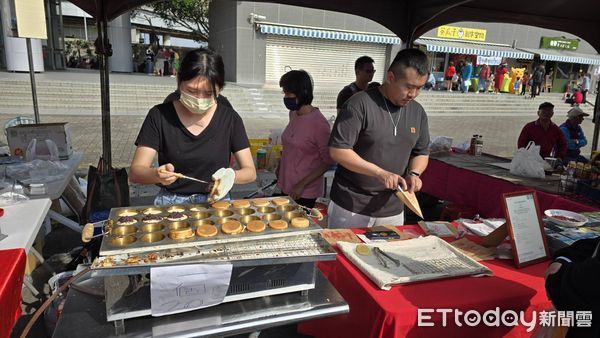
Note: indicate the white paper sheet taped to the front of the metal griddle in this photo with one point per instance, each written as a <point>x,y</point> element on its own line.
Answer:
<point>181,288</point>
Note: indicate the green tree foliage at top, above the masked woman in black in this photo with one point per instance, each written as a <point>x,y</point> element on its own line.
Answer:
<point>189,14</point>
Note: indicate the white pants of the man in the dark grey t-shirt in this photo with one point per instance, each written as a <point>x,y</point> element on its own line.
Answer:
<point>338,217</point>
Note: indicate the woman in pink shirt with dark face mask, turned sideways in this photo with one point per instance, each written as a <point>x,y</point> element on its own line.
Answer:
<point>305,156</point>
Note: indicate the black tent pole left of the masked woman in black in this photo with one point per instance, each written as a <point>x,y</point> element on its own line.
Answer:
<point>104,50</point>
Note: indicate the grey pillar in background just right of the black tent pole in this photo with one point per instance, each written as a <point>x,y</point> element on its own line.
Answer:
<point>119,33</point>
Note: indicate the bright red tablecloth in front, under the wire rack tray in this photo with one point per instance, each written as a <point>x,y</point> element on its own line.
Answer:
<point>393,313</point>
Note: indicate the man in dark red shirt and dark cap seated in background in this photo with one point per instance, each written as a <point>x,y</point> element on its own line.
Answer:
<point>544,133</point>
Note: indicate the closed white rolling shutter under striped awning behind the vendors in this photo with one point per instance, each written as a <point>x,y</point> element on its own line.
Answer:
<point>327,61</point>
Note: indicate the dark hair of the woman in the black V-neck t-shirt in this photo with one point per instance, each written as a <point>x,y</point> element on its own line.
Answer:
<point>203,62</point>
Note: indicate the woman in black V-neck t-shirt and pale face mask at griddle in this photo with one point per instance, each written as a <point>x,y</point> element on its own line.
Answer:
<point>194,135</point>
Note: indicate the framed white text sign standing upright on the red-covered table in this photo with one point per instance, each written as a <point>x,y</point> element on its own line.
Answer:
<point>526,227</point>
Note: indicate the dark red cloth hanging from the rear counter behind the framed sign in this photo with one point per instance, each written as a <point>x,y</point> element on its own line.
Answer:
<point>462,186</point>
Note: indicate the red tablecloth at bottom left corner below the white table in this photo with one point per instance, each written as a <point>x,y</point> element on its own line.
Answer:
<point>12,269</point>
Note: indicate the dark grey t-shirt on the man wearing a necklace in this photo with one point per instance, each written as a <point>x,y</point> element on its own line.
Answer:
<point>365,126</point>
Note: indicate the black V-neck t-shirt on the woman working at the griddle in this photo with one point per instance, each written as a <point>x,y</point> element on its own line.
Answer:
<point>196,156</point>
